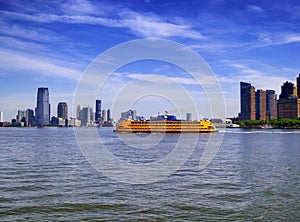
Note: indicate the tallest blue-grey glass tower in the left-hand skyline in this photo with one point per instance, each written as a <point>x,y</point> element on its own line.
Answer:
<point>43,107</point>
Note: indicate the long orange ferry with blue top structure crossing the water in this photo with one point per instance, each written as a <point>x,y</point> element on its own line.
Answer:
<point>165,124</point>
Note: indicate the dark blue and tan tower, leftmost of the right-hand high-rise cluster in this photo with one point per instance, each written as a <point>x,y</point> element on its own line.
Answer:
<point>248,106</point>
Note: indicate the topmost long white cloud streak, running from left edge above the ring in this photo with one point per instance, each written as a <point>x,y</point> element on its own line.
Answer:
<point>149,25</point>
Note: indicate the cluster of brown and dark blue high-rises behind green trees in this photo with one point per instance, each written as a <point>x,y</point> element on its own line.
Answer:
<point>263,104</point>
